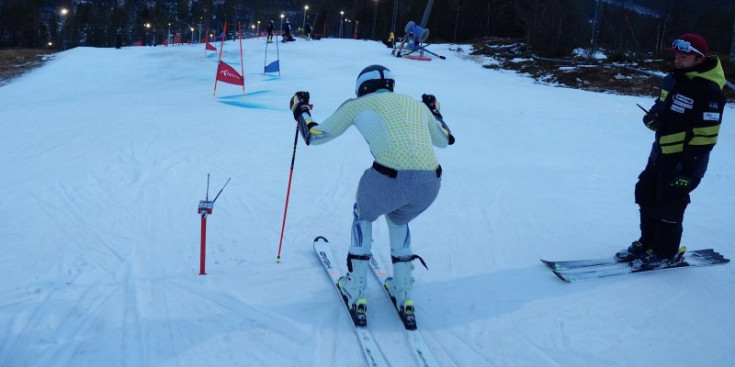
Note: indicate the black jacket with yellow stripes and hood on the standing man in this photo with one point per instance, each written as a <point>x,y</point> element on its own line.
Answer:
<point>689,113</point>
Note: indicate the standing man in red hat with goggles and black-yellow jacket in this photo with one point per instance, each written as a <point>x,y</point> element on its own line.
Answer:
<point>686,118</point>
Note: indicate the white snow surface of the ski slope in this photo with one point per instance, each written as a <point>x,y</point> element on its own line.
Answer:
<point>105,152</point>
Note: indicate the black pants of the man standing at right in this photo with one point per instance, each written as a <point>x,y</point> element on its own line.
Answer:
<point>662,209</point>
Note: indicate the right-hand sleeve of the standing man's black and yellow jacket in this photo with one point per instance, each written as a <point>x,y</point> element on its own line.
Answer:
<point>704,132</point>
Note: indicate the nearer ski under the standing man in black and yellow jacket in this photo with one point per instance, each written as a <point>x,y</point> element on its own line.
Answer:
<point>691,259</point>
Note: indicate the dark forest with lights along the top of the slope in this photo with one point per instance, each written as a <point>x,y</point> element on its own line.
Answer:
<point>550,27</point>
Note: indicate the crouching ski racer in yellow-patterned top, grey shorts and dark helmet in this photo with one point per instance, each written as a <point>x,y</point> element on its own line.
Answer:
<point>403,181</point>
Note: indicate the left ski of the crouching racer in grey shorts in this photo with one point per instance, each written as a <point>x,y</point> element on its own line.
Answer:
<point>370,350</point>
